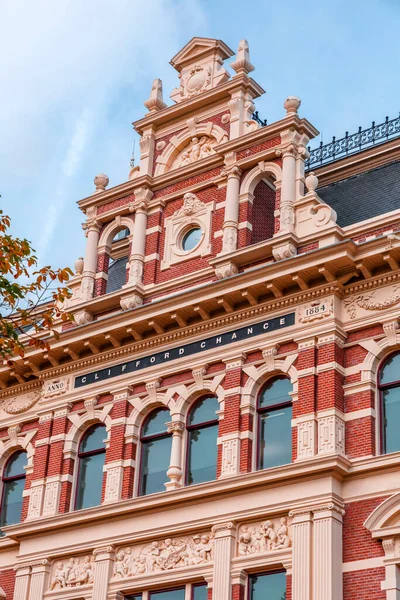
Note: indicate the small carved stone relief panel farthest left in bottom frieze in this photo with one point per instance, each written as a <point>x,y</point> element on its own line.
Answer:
<point>73,572</point>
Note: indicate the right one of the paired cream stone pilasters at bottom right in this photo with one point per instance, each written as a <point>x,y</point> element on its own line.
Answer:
<point>327,551</point>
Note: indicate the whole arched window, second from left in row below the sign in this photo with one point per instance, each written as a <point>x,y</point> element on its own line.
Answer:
<point>92,453</point>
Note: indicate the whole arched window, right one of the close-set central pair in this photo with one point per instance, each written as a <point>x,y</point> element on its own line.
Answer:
<point>202,426</point>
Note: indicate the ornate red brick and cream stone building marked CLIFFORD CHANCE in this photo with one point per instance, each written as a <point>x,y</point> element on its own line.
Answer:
<point>220,419</point>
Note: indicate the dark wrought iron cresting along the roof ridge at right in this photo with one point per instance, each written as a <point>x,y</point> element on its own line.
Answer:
<point>351,144</point>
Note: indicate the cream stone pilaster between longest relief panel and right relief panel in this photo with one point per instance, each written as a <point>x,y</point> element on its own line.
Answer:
<point>224,548</point>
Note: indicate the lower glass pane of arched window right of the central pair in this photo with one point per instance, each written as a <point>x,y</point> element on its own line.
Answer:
<point>275,438</point>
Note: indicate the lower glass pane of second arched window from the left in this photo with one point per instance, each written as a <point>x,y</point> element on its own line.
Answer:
<point>90,481</point>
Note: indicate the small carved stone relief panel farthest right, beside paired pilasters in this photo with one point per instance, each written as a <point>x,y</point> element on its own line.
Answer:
<point>268,536</point>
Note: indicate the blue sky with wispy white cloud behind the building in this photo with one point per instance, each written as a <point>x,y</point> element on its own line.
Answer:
<point>74,75</point>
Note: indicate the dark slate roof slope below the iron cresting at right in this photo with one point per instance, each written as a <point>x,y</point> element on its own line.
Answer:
<point>364,196</point>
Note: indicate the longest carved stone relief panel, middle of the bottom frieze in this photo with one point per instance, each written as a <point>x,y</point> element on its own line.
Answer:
<point>164,555</point>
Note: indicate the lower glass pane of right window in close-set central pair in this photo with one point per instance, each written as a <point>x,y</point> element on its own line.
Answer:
<point>202,463</point>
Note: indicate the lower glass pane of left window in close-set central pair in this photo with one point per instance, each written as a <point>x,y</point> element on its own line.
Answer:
<point>155,463</point>
